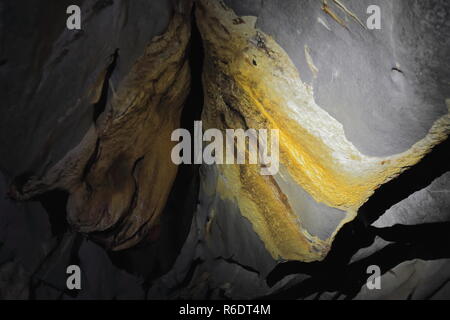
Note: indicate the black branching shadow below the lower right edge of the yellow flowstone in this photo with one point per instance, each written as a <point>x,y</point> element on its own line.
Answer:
<point>425,241</point>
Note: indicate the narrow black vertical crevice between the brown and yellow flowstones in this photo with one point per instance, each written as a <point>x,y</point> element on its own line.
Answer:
<point>151,259</point>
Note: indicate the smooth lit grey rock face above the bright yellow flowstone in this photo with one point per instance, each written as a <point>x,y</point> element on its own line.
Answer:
<point>400,72</point>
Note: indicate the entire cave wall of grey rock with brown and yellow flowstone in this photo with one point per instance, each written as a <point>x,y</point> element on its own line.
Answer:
<point>85,125</point>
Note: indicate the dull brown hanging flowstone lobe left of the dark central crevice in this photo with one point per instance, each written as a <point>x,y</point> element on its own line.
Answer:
<point>121,173</point>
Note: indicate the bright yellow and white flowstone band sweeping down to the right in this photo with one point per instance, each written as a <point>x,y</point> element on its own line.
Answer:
<point>250,82</point>
